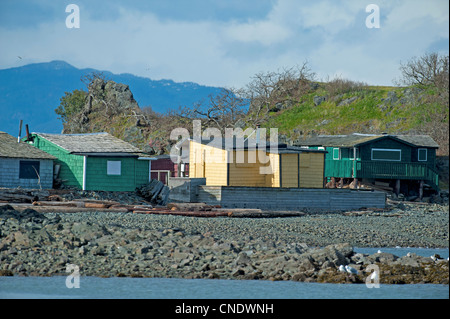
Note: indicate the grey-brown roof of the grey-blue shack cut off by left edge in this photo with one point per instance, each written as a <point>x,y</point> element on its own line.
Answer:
<point>11,149</point>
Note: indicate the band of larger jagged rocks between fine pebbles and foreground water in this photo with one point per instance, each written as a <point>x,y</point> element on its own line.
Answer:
<point>42,245</point>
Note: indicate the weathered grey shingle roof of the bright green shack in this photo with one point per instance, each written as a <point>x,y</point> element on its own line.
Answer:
<point>91,144</point>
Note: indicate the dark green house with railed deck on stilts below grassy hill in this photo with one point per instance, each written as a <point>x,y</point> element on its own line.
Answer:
<point>378,157</point>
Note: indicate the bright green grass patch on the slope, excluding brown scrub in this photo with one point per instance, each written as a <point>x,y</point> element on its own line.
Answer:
<point>369,113</point>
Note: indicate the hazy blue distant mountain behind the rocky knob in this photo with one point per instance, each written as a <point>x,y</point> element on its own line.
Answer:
<point>32,92</point>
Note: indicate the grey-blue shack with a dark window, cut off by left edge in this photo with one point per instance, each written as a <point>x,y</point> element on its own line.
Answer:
<point>22,165</point>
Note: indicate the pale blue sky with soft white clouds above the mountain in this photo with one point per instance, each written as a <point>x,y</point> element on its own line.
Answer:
<point>225,42</point>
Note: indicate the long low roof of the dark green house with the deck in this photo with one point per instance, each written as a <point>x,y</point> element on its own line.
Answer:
<point>355,139</point>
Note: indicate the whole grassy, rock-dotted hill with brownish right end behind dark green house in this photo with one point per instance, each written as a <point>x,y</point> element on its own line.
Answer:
<point>364,109</point>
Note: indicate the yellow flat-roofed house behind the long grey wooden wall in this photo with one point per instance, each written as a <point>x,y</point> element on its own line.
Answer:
<point>253,165</point>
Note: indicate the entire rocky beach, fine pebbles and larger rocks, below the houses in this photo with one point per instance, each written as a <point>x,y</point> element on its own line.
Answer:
<point>306,248</point>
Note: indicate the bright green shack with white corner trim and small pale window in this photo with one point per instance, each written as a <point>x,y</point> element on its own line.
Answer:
<point>96,161</point>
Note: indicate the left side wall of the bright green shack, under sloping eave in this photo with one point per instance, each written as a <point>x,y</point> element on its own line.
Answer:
<point>71,172</point>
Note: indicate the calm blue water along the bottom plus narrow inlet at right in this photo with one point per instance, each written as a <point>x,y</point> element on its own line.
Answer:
<point>165,288</point>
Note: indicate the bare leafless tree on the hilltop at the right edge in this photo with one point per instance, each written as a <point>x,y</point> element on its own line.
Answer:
<point>429,69</point>
